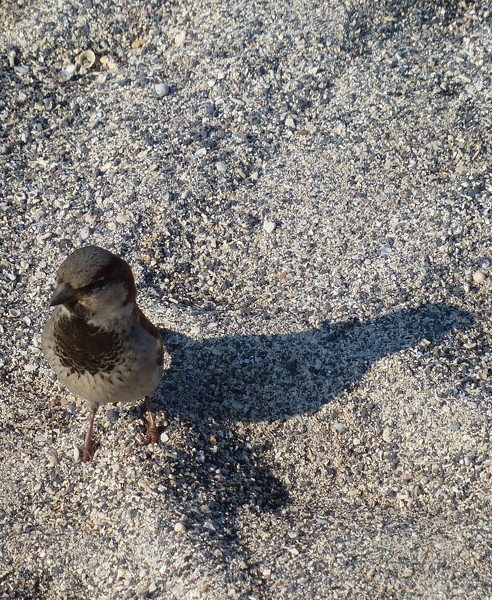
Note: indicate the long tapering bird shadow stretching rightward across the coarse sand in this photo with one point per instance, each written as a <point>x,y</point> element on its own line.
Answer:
<point>270,377</point>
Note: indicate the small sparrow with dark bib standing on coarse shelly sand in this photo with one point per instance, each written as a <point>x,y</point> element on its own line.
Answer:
<point>98,342</point>
